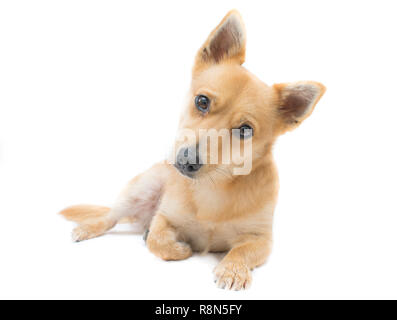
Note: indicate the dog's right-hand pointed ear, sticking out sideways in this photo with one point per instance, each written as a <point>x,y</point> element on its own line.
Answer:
<point>296,101</point>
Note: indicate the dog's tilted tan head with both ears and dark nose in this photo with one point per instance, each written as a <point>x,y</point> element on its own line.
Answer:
<point>232,118</point>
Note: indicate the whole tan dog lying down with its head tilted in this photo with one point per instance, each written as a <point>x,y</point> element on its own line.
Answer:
<point>190,206</point>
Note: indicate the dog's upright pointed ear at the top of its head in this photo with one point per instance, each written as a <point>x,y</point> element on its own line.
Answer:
<point>226,42</point>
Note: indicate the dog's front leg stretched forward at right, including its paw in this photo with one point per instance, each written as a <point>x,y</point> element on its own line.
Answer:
<point>234,271</point>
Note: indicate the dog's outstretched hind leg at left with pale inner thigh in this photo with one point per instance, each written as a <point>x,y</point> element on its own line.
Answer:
<point>138,201</point>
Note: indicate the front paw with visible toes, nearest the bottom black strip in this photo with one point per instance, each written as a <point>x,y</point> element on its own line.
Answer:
<point>232,276</point>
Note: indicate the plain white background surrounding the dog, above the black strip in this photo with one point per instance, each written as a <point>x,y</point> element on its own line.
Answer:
<point>90,94</point>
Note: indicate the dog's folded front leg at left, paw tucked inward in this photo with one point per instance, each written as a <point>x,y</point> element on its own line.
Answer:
<point>163,241</point>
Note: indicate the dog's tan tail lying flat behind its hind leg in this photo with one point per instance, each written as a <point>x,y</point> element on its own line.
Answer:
<point>82,214</point>
